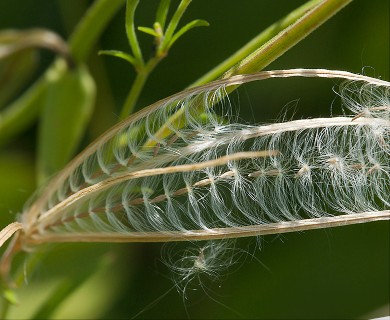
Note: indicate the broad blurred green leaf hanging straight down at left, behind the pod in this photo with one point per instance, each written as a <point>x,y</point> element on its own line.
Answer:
<point>68,105</point>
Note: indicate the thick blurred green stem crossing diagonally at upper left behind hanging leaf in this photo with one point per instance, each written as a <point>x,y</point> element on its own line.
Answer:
<point>22,112</point>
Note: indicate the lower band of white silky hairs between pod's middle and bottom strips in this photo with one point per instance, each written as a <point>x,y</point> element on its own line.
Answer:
<point>319,171</point>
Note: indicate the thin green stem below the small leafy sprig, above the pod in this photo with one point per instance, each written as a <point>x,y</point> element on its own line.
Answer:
<point>139,83</point>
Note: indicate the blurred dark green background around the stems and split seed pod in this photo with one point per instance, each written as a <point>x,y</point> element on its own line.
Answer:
<point>341,273</point>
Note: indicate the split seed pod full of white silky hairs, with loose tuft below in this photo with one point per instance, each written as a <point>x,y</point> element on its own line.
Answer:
<point>215,173</point>
